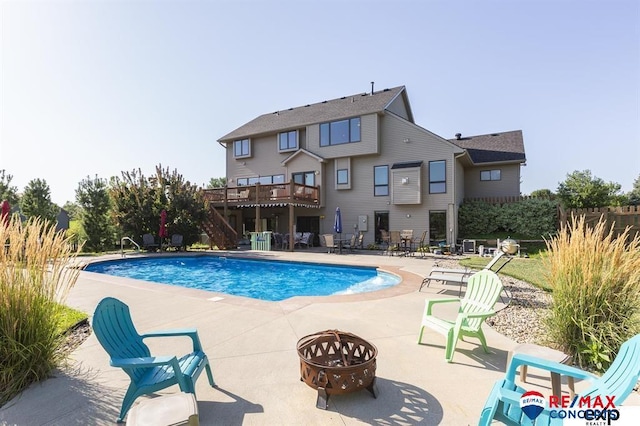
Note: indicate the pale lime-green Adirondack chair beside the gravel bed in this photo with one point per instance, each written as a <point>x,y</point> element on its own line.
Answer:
<point>483,290</point>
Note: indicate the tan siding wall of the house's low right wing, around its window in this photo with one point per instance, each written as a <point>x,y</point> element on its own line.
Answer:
<point>507,186</point>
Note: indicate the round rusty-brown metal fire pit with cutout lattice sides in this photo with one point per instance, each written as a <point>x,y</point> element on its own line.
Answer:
<point>335,362</point>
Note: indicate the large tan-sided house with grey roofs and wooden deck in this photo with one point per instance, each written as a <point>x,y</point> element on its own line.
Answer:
<point>290,169</point>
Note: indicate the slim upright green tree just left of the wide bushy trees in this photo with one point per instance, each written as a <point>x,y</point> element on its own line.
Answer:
<point>93,198</point>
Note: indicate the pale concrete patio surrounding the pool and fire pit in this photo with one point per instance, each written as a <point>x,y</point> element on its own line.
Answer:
<point>252,348</point>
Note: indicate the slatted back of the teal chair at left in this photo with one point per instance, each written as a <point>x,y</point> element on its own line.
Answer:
<point>116,333</point>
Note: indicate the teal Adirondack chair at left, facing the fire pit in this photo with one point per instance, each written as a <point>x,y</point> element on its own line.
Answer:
<point>116,333</point>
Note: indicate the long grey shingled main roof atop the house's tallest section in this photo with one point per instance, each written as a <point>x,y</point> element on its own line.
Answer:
<point>335,109</point>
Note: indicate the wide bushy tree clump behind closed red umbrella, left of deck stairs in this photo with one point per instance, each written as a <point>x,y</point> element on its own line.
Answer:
<point>138,202</point>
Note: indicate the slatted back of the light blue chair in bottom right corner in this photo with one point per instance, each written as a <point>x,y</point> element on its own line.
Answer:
<point>623,374</point>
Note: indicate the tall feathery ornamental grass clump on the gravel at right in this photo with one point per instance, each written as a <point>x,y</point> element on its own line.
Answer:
<point>595,277</point>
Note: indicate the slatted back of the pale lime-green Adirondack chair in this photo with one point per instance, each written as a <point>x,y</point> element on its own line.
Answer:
<point>483,290</point>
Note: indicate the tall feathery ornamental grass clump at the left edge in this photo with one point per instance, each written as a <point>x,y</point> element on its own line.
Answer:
<point>34,282</point>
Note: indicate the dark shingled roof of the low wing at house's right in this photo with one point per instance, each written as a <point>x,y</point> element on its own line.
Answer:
<point>494,147</point>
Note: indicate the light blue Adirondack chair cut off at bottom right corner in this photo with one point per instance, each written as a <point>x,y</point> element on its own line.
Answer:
<point>619,380</point>
